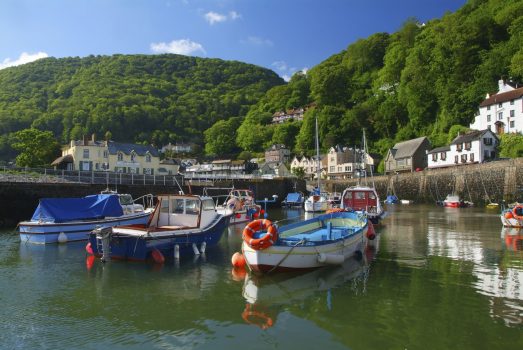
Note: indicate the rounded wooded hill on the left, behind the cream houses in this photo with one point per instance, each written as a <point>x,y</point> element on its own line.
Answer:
<point>136,98</point>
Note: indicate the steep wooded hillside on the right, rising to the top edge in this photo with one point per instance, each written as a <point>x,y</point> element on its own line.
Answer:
<point>419,81</point>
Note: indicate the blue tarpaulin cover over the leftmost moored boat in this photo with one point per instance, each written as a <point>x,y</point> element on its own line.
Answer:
<point>85,208</point>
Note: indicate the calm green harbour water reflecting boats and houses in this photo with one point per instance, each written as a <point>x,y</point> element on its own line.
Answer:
<point>438,279</point>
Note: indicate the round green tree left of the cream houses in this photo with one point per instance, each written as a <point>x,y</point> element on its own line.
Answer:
<point>36,148</point>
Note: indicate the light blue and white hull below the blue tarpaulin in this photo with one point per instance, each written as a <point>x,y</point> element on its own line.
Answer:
<point>50,233</point>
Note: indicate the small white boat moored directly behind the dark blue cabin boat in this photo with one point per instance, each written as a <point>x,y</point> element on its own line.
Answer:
<point>238,202</point>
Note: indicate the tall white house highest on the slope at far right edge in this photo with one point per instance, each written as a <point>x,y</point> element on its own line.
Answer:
<point>501,112</point>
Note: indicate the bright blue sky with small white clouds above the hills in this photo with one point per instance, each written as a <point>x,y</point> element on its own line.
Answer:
<point>286,36</point>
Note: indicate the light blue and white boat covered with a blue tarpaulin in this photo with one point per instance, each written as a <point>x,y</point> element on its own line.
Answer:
<point>60,220</point>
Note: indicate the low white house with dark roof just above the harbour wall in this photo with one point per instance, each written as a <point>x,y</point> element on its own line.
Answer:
<point>476,146</point>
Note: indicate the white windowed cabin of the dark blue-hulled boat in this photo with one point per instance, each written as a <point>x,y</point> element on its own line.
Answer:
<point>183,211</point>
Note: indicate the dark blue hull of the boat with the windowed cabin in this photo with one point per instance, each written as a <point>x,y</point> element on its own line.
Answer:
<point>139,247</point>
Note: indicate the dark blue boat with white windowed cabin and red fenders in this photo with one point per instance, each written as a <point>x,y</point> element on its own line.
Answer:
<point>180,224</point>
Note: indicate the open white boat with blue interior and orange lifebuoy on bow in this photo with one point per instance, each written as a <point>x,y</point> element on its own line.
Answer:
<point>327,239</point>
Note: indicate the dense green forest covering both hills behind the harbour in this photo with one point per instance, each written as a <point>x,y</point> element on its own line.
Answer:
<point>425,79</point>
